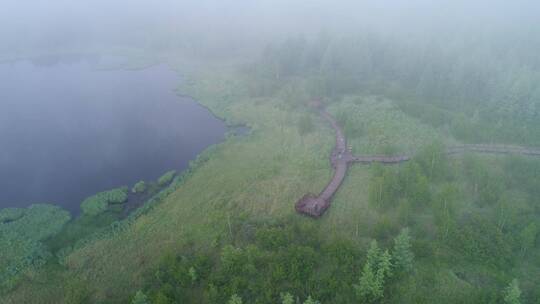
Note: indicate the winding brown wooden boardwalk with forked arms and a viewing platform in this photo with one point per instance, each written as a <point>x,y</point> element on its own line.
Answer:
<point>341,158</point>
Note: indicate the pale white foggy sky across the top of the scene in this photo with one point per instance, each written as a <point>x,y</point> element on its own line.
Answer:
<point>28,24</point>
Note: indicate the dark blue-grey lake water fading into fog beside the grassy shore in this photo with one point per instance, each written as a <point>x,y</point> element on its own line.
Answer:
<point>69,130</point>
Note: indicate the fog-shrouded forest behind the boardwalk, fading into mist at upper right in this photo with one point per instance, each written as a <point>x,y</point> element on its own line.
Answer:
<point>464,81</point>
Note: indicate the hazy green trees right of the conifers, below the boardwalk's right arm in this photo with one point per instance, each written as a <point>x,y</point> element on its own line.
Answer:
<point>479,218</point>
